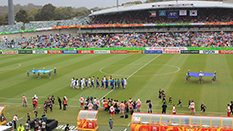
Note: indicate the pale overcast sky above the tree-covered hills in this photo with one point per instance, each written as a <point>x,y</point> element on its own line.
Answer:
<point>73,3</point>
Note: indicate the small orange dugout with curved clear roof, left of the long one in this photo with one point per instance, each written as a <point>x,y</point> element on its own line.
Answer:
<point>87,120</point>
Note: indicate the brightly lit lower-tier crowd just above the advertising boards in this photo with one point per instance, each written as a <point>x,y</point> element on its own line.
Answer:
<point>170,39</point>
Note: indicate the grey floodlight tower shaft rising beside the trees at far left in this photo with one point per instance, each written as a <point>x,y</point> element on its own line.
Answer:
<point>11,16</point>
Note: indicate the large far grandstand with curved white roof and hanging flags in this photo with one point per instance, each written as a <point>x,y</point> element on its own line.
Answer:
<point>179,17</point>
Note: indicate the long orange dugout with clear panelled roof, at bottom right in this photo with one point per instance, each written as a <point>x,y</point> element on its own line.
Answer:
<point>162,122</point>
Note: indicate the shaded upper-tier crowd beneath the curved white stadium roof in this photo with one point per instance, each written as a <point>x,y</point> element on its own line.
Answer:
<point>143,17</point>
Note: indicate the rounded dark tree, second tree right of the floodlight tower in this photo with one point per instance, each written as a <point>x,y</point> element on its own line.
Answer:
<point>47,12</point>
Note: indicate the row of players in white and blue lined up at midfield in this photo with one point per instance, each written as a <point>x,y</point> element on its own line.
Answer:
<point>104,83</point>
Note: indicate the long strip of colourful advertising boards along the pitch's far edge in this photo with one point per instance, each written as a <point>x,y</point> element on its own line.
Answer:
<point>145,50</point>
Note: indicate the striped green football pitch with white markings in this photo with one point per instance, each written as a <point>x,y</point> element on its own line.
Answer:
<point>146,75</point>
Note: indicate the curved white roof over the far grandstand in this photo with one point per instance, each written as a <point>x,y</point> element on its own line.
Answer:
<point>166,4</point>
